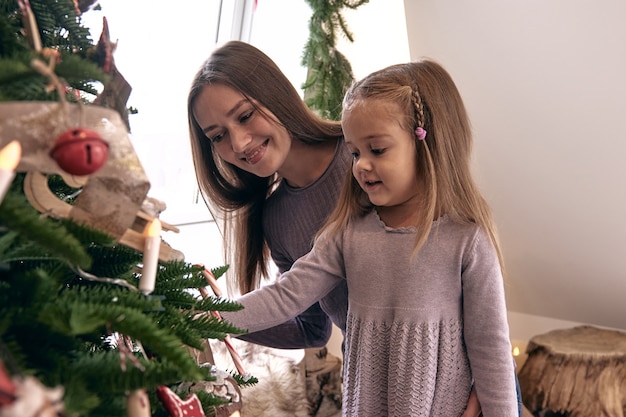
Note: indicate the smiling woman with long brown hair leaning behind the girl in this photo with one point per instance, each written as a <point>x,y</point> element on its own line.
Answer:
<point>271,169</point>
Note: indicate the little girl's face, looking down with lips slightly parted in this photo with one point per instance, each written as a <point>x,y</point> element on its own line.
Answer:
<point>383,154</point>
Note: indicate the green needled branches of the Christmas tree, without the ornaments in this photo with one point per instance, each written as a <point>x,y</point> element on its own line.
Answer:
<point>67,289</point>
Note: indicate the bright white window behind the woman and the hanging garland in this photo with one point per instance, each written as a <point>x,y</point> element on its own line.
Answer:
<point>159,51</point>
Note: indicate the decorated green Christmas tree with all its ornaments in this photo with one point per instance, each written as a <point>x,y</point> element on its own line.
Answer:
<point>85,328</point>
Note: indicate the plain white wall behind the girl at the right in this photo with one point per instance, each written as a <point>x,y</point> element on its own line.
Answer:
<point>545,85</point>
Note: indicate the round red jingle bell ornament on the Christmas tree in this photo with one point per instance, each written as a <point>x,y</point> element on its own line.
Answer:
<point>80,151</point>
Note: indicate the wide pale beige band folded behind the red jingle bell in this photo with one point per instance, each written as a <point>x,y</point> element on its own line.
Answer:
<point>122,182</point>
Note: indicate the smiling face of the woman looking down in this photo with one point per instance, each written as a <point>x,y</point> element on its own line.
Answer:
<point>239,132</point>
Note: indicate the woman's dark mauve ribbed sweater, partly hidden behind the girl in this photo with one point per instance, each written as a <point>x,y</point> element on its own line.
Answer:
<point>291,219</point>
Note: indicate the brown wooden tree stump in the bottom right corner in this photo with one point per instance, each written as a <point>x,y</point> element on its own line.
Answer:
<point>580,372</point>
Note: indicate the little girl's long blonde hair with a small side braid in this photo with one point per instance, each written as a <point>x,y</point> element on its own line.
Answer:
<point>430,100</point>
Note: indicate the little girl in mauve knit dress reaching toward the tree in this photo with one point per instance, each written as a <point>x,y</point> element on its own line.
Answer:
<point>414,240</point>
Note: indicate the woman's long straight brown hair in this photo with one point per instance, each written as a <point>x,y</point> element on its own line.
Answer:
<point>236,197</point>
